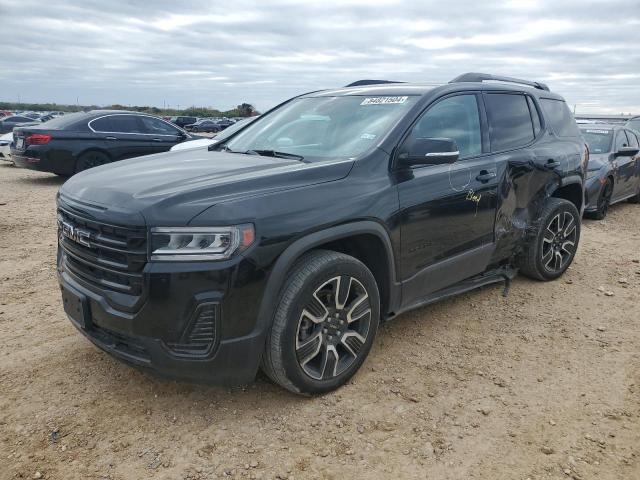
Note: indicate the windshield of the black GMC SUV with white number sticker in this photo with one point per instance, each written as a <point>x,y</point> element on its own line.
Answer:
<point>323,127</point>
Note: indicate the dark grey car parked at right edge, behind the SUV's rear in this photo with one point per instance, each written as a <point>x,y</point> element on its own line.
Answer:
<point>613,174</point>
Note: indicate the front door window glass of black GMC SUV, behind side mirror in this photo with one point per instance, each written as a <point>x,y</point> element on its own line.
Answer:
<point>457,118</point>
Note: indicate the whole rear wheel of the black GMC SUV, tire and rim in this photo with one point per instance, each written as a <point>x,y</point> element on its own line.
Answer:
<point>562,246</point>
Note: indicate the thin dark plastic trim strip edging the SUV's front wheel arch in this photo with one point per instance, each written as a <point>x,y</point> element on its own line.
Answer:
<point>287,259</point>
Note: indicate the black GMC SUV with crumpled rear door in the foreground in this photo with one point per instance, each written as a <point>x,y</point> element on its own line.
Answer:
<point>286,244</point>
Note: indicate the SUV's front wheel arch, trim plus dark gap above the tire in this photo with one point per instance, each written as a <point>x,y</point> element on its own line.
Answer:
<point>368,241</point>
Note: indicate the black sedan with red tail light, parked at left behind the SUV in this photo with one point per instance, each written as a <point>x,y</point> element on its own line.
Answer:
<point>76,142</point>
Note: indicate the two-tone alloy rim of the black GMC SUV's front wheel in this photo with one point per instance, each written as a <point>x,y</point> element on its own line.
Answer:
<point>333,327</point>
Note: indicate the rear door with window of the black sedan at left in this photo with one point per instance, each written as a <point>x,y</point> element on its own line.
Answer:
<point>122,135</point>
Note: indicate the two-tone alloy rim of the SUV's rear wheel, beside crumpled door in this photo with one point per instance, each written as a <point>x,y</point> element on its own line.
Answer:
<point>559,241</point>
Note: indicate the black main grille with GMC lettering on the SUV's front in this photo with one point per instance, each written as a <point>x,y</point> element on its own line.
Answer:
<point>106,256</point>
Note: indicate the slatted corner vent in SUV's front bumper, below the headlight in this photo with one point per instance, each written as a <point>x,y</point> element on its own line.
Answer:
<point>200,335</point>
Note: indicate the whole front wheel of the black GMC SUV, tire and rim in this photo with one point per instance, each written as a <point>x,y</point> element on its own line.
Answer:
<point>289,358</point>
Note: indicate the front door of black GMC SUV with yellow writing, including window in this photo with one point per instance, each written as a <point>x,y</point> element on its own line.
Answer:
<point>447,211</point>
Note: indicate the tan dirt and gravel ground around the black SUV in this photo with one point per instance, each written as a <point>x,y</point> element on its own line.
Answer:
<point>541,384</point>
